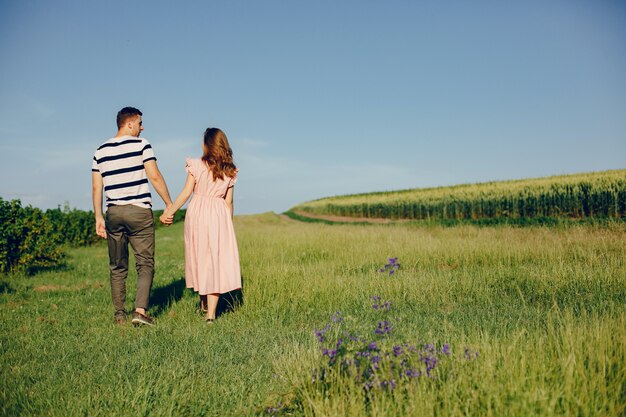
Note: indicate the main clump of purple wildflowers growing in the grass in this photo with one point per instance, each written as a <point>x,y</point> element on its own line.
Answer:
<point>375,360</point>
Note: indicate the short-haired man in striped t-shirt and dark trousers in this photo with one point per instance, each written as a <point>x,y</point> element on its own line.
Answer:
<point>123,165</point>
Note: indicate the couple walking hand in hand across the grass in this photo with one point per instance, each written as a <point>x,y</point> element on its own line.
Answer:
<point>123,166</point>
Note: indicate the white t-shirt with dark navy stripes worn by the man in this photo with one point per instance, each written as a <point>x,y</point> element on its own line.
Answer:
<point>120,162</point>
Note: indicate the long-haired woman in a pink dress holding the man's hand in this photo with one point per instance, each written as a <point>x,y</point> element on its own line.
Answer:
<point>211,254</point>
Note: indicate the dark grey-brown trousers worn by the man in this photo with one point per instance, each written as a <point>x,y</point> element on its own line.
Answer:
<point>134,225</point>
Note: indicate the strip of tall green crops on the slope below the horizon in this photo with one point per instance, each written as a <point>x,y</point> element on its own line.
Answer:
<point>595,195</point>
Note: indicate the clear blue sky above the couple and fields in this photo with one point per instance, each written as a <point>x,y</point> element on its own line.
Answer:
<point>318,98</point>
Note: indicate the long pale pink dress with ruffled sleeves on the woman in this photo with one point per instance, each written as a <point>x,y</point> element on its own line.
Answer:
<point>211,254</point>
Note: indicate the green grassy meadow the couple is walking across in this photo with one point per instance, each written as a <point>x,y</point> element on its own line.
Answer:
<point>544,309</point>
